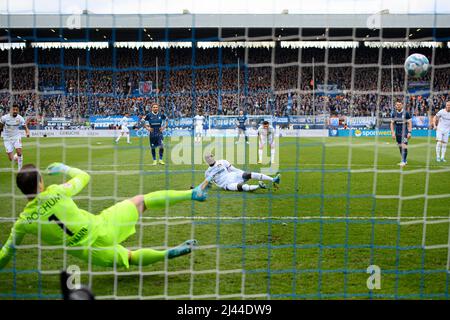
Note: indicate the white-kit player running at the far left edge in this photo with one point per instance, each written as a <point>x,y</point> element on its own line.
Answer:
<point>10,125</point>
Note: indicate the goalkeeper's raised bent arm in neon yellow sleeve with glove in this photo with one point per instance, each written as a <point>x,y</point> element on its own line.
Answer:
<point>79,178</point>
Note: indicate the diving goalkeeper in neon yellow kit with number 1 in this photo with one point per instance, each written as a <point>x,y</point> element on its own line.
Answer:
<point>52,214</point>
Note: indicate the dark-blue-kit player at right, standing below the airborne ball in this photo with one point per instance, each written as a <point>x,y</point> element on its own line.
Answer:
<point>401,127</point>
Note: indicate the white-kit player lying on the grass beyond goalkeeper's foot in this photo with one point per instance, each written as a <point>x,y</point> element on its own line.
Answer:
<point>227,177</point>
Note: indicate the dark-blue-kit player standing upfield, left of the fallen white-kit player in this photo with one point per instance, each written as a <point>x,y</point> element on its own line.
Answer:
<point>155,124</point>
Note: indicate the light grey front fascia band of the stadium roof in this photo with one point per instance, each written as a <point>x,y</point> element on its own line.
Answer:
<point>381,19</point>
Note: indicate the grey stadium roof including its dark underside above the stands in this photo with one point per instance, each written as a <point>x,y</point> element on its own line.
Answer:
<point>213,27</point>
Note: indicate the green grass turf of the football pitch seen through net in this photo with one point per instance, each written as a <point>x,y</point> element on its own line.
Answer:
<point>251,245</point>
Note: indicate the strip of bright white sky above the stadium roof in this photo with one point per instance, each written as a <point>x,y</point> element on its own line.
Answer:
<point>145,7</point>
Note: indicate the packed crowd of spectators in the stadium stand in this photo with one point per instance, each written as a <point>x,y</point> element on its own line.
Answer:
<point>78,83</point>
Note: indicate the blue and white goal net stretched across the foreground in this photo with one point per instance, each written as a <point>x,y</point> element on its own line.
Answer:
<point>346,220</point>
